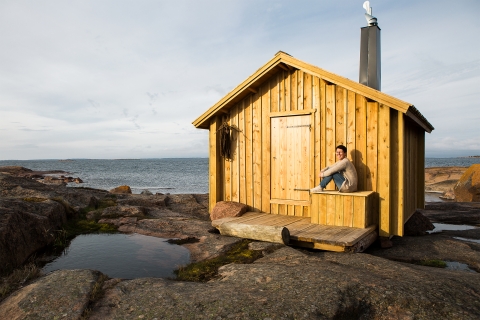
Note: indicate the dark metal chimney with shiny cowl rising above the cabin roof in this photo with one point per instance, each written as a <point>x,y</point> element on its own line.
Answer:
<point>370,74</point>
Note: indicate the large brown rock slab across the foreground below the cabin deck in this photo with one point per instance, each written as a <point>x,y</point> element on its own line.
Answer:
<point>289,284</point>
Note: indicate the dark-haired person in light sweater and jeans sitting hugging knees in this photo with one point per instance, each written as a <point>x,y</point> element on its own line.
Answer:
<point>342,172</point>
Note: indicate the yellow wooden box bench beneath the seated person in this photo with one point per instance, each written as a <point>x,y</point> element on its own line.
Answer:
<point>333,208</point>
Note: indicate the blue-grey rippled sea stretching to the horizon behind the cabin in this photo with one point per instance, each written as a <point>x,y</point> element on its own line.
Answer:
<point>167,175</point>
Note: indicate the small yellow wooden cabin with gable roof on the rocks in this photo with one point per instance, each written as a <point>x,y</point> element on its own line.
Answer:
<point>287,119</point>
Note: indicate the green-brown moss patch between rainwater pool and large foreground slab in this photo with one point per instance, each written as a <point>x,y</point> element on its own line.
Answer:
<point>205,270</point>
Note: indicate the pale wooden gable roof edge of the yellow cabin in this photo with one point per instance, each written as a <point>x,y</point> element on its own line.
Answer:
<point>285,61</point>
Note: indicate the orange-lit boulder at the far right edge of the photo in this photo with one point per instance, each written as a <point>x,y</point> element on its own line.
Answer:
<point>467,188</point>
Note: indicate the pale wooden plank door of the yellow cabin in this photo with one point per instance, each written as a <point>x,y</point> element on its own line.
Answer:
<point>291,157</point>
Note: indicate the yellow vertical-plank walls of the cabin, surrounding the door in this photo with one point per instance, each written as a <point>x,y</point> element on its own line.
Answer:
<point>372,132</point>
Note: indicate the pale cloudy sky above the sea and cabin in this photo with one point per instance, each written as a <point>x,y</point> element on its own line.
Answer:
<point>125,79</point>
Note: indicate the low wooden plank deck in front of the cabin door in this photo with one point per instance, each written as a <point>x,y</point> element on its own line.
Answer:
<point>306,234</point>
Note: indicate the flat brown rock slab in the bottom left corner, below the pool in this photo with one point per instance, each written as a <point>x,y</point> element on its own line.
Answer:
<point>63,294</point>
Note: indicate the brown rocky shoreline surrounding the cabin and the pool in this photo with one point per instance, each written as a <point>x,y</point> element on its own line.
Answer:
<point>287,282</point>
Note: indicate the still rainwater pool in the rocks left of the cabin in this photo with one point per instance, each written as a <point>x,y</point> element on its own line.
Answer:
<point>126,256</point>
